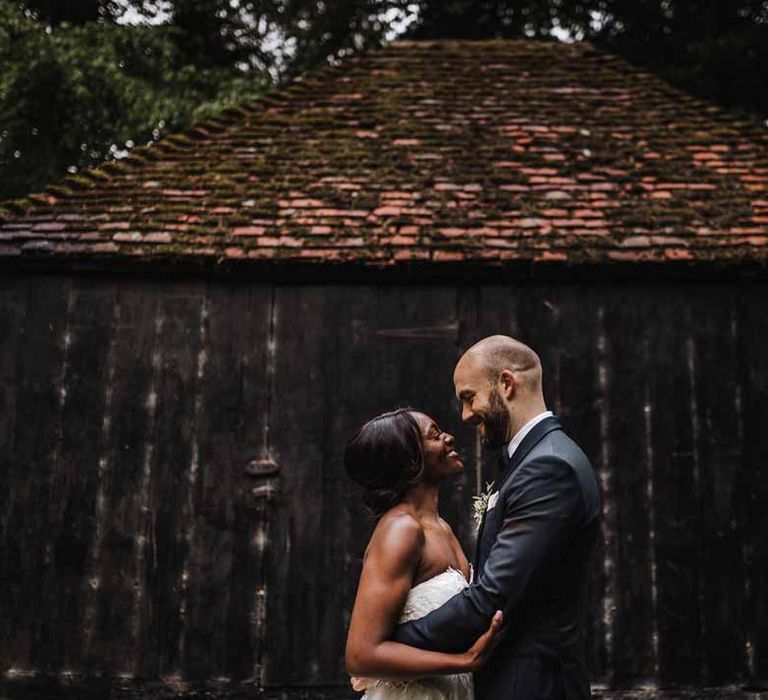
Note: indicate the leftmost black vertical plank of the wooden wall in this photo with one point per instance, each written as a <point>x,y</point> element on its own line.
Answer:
<point>29,545</point>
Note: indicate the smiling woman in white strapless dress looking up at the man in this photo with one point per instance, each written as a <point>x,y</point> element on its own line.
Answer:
<point>413,563</point>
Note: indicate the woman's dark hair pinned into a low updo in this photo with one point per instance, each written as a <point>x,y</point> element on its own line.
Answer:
<point>385,457</point>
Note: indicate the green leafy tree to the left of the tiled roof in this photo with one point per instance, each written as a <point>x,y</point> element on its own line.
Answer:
<point>75,95</point>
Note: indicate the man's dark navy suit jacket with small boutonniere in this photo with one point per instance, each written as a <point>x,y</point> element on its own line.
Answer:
<point>531,561</point>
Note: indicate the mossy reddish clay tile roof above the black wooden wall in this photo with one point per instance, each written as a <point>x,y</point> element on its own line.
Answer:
<point>430,151</point>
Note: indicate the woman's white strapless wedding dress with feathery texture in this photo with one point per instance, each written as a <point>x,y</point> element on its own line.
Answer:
<point>422,599</point>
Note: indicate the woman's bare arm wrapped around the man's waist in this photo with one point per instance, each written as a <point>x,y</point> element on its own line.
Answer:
<point>388,570</point>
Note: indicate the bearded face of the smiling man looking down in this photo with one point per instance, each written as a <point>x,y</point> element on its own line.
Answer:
<point>481,403</point>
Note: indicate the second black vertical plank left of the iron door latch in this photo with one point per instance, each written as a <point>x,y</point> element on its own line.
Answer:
<point>168,476</point>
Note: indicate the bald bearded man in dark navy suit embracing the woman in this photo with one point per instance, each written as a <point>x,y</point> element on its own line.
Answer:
<point>532,553</point>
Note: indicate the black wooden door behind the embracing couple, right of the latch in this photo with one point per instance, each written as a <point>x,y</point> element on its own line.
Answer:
<point>343,355</point>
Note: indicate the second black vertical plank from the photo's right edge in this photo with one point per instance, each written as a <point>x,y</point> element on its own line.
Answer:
<point>719,451</point>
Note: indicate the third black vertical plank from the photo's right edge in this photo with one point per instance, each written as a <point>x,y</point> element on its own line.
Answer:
<point>676,504</point>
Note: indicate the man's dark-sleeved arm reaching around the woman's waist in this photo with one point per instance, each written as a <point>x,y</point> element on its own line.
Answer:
<point>538,512</point>
